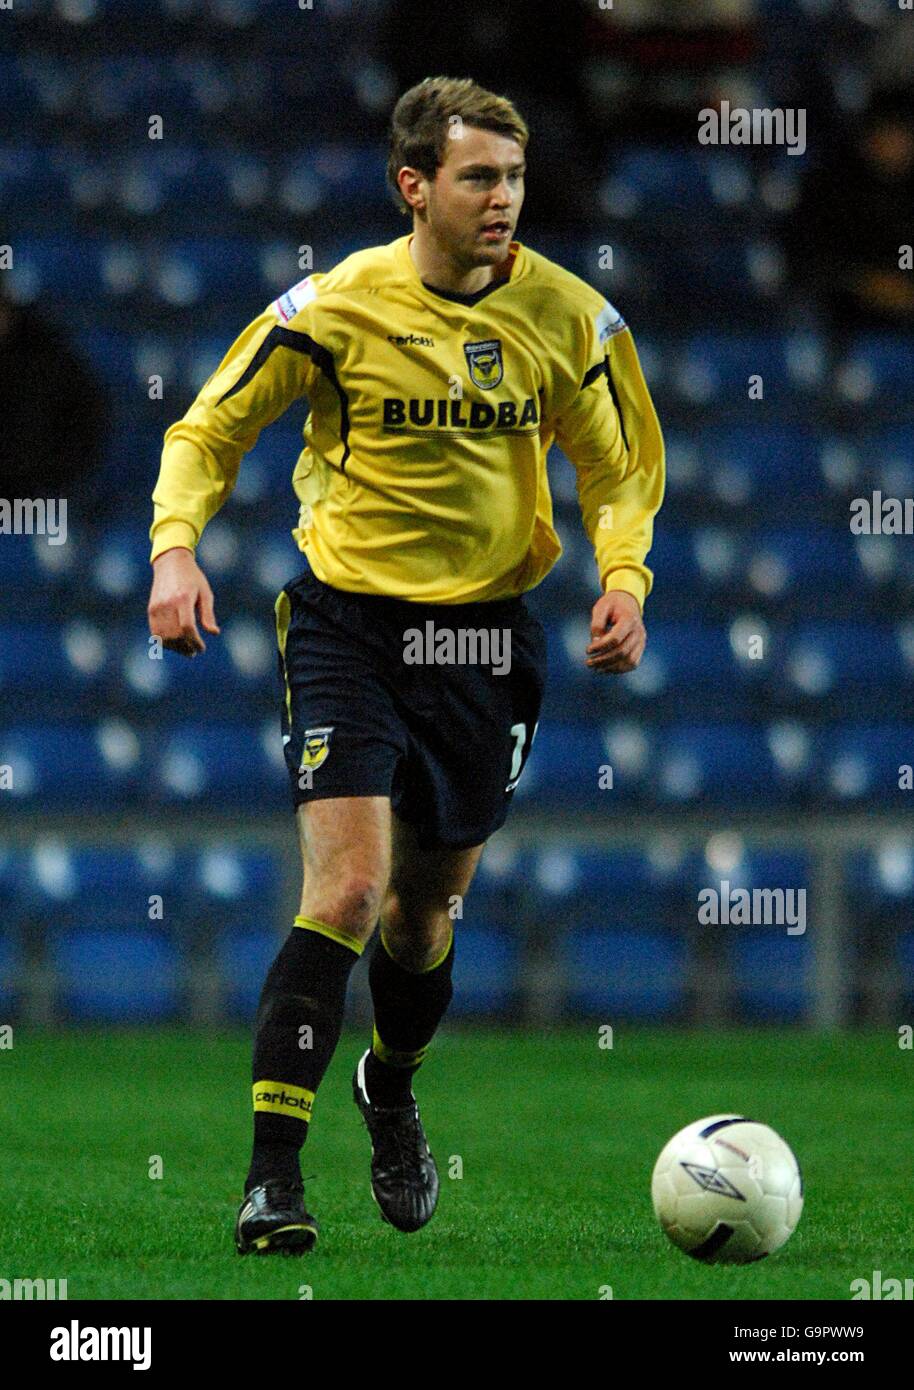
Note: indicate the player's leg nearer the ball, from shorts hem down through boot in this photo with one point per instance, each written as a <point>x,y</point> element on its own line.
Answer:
<point>410,978</point>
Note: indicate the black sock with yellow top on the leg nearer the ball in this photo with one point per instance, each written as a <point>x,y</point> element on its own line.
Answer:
<point>409,1007</point>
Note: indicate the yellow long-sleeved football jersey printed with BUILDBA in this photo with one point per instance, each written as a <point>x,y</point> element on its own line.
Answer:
<point>423,473</point>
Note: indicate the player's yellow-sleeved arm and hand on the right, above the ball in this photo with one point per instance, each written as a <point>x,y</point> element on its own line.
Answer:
<point>612,434</point>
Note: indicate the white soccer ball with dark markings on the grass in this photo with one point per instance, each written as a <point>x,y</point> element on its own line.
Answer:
<point>727,1191</point>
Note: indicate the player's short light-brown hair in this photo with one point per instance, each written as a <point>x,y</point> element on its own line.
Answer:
<point>426,116</point>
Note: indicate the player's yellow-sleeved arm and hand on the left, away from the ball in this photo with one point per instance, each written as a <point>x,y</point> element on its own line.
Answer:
<point>265,370</point>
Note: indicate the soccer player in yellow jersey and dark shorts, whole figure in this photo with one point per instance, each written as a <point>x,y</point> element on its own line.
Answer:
<point>440,369</point>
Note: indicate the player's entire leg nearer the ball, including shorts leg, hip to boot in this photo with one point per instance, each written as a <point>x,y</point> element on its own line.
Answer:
<point>470,739</point>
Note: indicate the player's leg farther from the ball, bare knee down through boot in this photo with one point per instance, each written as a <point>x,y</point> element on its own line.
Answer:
<point>347,862</point>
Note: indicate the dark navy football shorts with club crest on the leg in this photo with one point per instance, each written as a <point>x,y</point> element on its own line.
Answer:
<point>445,735</point>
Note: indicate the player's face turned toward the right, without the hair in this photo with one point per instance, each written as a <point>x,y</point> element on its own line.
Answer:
<point>474,202</point>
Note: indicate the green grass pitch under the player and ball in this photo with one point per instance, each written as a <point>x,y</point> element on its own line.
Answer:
<point>556,1136</point>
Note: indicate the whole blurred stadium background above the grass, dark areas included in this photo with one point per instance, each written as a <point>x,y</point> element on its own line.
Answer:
<point>148,856</point>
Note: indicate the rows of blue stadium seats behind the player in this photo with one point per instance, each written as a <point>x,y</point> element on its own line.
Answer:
<point>780,669</point>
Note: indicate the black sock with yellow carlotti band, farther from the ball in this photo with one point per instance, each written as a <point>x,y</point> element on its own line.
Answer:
<point>297,1032</point>
